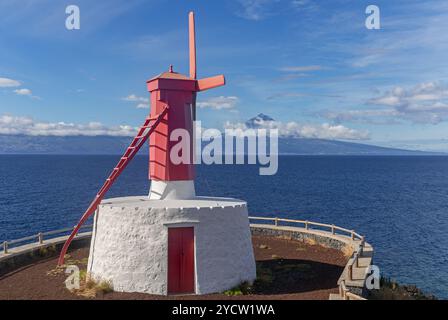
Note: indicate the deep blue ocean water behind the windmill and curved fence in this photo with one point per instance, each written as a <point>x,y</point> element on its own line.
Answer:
<point>399,203</point>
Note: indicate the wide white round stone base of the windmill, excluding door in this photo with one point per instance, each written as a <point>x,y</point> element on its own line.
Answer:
<point>130,243</point>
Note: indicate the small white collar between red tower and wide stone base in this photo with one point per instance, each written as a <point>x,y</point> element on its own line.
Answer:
<point>172,190</point>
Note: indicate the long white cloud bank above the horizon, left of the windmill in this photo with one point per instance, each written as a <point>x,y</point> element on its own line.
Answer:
<point>14,125</point>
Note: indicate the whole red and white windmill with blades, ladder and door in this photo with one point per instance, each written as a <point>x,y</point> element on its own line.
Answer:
<point>163,243</point>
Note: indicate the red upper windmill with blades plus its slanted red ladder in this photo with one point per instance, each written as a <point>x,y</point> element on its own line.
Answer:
<point>173,106</point>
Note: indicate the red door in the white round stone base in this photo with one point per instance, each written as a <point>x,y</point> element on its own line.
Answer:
<point>180,260</point>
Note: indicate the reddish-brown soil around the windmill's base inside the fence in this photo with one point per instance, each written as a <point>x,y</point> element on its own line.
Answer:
<point>286,269</point>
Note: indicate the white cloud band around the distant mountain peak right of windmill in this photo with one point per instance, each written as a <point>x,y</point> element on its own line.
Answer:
<point>302,130</point>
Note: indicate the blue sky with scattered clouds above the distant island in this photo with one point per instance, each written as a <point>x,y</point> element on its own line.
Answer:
<point>311,65</point>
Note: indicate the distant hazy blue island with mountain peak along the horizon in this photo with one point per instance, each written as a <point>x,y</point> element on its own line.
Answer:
<point>84,145</point>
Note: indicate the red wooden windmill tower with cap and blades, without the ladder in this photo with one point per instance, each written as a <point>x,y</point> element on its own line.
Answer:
<point>176,92</point>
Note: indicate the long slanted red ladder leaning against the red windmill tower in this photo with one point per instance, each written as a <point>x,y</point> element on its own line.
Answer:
<point>139,140</point>
